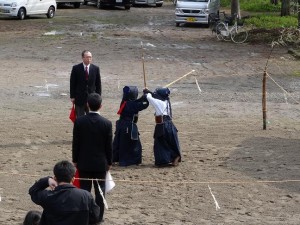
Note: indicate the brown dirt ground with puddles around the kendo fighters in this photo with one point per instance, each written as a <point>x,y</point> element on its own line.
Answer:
<point>253,174</point>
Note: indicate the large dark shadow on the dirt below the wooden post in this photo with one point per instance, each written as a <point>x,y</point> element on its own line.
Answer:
<point>268,159</point>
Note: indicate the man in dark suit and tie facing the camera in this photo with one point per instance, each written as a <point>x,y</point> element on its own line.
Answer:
<point>85,79</point>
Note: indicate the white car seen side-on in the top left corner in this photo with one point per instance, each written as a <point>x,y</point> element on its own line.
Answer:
<point>23,8</point>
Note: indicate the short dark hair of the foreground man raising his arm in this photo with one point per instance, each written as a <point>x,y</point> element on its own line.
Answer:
<point>64,171</point>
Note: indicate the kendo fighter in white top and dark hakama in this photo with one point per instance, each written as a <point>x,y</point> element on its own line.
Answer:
<point>166,144</point>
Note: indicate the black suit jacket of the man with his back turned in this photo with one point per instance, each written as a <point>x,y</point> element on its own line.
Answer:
<point>92,143</point>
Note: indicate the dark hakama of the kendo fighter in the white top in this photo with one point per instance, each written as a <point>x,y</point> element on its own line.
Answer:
<point>166,144</point>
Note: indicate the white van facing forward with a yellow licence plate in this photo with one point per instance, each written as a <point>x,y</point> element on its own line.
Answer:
<point>195,11</point>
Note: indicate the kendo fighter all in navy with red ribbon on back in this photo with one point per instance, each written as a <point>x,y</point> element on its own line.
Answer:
<point>127,148</point>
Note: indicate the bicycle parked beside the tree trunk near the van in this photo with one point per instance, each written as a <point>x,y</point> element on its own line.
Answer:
<point>236,33</point>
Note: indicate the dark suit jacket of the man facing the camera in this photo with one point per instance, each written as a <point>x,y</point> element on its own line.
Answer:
<point>79,87</point>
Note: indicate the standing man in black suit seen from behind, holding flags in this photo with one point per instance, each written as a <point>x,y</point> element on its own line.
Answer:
<point>92,148</point>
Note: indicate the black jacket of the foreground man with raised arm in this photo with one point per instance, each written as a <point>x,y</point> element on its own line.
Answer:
<point>65,205</point>
